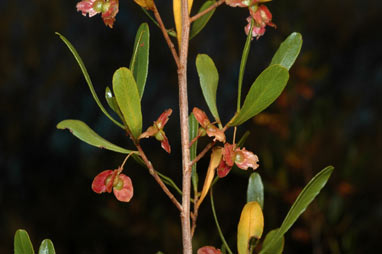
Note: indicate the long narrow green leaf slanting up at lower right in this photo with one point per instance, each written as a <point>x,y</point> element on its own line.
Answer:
<point>310,191</point>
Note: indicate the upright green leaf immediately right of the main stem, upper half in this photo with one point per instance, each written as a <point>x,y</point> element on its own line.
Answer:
<point>209,78</point>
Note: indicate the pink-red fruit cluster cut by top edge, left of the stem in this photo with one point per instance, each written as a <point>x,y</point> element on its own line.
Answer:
<point>108,8</point>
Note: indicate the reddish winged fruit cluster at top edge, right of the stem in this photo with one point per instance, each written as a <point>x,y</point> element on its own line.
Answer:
<point>259,13</point>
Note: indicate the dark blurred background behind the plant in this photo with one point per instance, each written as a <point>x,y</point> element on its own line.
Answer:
<point>329,114</point>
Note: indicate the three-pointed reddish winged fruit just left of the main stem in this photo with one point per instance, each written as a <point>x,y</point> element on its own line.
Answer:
<point>156,130</point>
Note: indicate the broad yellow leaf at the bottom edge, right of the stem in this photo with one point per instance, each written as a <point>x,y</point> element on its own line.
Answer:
<point>250,226</point>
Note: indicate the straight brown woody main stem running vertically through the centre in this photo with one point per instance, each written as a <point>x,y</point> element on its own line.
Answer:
<point>183,108</point>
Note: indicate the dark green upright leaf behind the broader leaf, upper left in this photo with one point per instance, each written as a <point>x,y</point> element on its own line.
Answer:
<point>139,64</point>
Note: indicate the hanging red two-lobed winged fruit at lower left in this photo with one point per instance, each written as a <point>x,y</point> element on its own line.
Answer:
<point>109,180</point>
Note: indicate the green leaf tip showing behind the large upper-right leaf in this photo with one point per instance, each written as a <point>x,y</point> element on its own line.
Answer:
<point>288,51</point>
